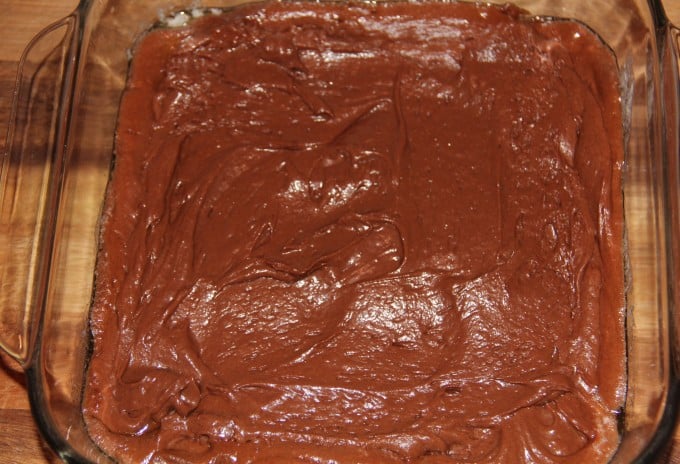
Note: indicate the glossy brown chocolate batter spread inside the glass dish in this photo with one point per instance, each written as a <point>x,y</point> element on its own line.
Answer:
<point>362,233</point>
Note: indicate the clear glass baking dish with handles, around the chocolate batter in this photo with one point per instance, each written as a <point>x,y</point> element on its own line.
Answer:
<point>60,144</point>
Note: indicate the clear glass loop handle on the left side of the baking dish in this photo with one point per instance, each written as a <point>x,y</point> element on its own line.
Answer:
<point>30,181</point>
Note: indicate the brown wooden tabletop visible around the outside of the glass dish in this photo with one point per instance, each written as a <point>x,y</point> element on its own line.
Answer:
<point>19,439</point>
